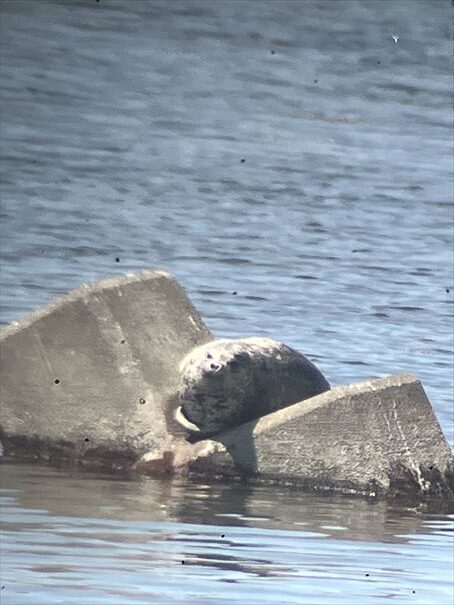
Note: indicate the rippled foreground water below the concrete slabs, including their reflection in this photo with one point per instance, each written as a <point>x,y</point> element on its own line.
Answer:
<point>90,540</point>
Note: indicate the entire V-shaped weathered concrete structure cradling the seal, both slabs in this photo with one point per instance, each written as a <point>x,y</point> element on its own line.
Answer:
<point>91,378</point>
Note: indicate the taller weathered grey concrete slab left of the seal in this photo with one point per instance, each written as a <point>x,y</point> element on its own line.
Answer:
<point>89,374</point>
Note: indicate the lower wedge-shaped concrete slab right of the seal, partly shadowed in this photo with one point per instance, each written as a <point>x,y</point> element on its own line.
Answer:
<point>373,438</point>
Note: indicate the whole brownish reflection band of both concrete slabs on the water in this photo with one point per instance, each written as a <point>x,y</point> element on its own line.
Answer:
<point>92,496</point>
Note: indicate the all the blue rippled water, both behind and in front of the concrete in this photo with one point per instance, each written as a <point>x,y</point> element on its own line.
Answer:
<point>291,164</point>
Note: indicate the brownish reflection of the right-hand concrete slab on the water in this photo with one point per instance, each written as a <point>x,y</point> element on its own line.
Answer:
<point>289,509</point>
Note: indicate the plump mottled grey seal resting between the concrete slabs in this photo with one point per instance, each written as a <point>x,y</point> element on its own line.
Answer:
<point>225,383</point>
